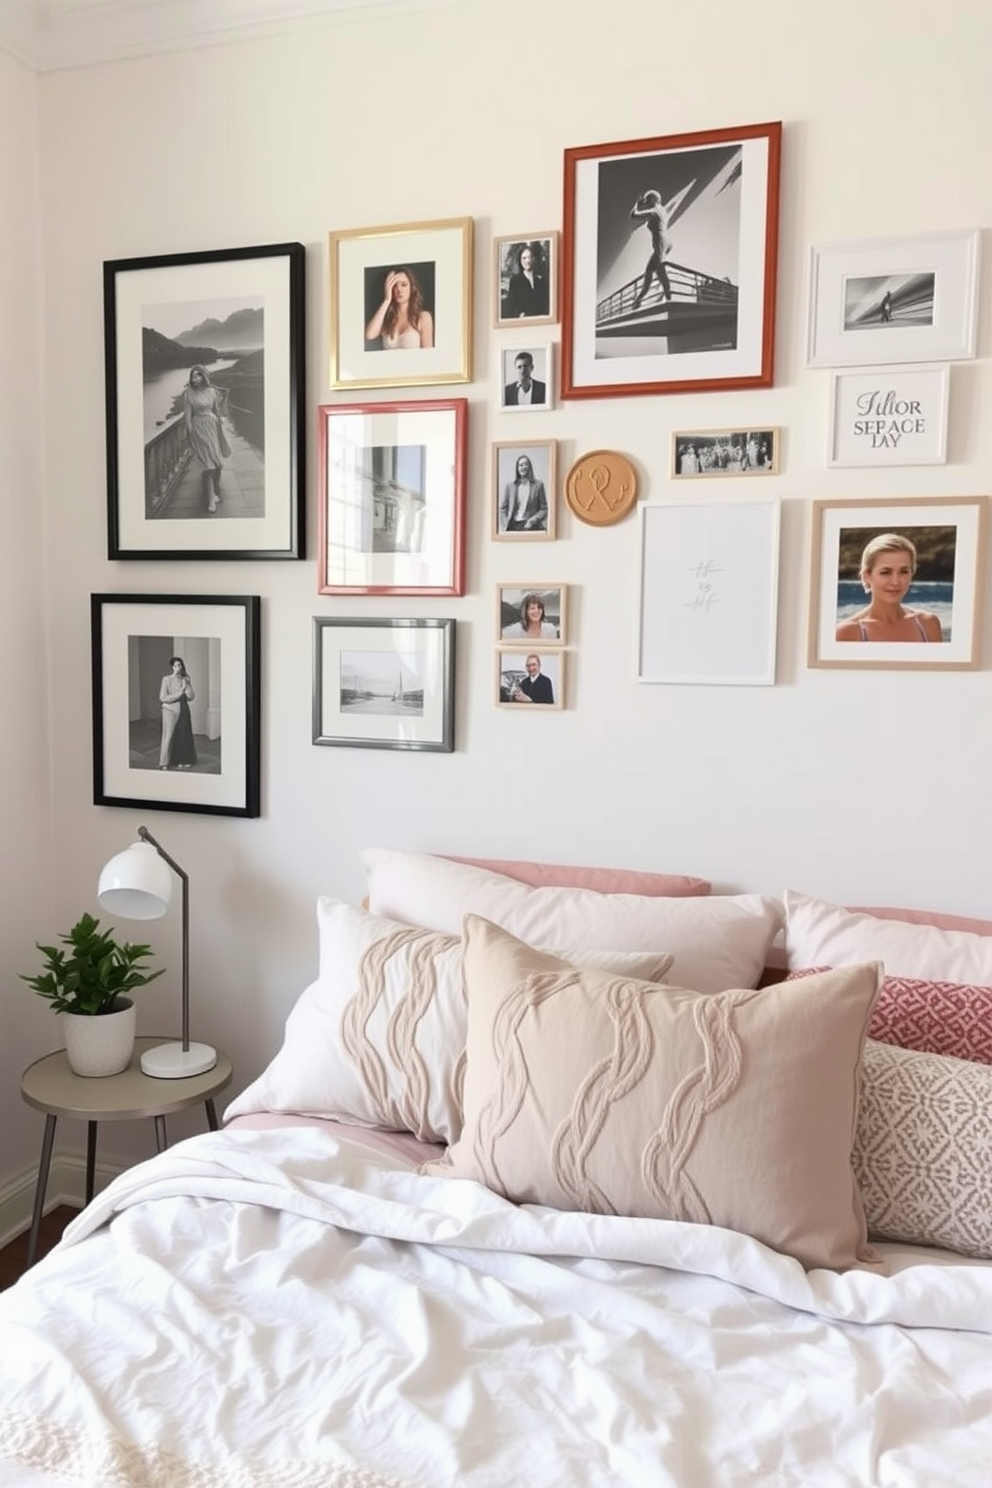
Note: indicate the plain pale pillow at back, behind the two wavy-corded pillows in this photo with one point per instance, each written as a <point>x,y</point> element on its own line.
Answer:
<point>718,941</point>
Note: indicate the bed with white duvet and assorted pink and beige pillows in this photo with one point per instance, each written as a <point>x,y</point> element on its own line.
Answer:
<point>465,1231</point>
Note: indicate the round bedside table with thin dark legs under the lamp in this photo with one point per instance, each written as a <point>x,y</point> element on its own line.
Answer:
<point>51,1087</point>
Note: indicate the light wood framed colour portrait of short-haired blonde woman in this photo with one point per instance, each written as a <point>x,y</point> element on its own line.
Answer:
<point>896,584</point>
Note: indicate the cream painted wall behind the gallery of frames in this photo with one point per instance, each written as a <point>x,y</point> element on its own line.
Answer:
<point>860,786</point>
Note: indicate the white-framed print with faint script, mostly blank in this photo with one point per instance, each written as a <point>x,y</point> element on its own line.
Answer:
<point>709,593</point>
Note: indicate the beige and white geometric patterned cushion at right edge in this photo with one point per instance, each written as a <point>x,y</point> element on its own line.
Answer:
<point>923,1152</point>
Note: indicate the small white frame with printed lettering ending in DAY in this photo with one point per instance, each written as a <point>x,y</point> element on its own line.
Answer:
<point>890,416</point>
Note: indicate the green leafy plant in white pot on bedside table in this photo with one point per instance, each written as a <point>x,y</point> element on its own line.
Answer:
<point>88,983</point>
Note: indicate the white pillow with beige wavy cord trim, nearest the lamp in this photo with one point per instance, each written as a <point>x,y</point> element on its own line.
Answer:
<point>380,1038</point>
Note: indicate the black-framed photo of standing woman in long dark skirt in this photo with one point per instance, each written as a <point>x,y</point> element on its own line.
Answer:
<point>176,703</point>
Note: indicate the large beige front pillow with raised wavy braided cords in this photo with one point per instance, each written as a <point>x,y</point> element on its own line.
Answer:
<point>588,1091</point>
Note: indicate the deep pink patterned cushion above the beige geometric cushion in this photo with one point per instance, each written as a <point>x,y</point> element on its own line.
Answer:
<point>933,1017</point>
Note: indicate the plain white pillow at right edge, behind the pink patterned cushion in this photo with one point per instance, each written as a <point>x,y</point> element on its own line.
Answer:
<point>820,934</point>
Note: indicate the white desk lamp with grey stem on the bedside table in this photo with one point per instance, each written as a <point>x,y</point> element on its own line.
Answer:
<point>136,885</point>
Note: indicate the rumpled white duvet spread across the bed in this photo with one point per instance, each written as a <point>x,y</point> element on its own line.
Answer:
<point>289,1309</point>
